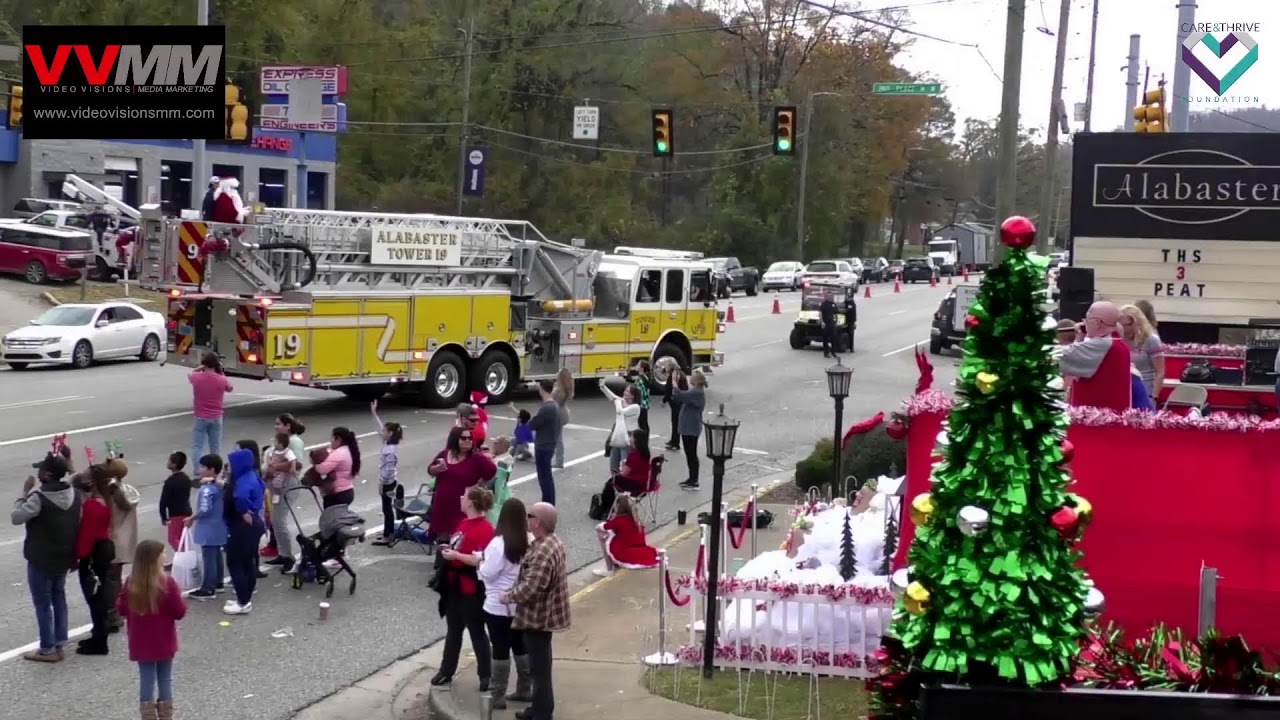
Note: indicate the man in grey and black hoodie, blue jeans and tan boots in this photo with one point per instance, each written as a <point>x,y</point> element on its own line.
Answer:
<point>52,516</point>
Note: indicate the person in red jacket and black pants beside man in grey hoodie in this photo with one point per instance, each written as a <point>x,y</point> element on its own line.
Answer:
<point>94,555</point>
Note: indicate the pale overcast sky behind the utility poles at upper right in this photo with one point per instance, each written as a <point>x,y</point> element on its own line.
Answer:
<point>971,76</point>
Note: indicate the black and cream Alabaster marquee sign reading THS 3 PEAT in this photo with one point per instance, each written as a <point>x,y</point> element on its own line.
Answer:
<point>1188,221</point>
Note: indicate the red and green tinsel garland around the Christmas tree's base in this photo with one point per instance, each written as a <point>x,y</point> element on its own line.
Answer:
<point>1162,659</point>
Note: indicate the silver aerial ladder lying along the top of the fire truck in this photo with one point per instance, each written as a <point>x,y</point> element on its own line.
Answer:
<point>331,252</point>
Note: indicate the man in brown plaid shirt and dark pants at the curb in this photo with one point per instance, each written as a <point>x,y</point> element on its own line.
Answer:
<point>542,605</point>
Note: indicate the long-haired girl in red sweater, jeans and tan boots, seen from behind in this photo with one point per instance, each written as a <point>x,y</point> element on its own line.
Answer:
<point>152,605</point>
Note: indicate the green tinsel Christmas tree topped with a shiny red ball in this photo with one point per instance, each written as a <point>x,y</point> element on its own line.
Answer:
<point>994,594</point>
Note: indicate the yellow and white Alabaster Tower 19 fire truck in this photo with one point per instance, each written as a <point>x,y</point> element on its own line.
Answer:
<point>431,307</point>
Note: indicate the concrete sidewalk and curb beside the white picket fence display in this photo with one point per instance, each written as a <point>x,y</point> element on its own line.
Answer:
<point>598,662</point>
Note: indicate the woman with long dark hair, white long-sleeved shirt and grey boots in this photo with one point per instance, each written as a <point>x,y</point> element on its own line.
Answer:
<point>499,571</point>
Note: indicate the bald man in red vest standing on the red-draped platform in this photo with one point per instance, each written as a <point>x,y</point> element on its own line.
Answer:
<point>1099,362</point>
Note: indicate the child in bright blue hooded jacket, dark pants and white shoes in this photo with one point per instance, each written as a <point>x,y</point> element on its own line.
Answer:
<point>245,528</point>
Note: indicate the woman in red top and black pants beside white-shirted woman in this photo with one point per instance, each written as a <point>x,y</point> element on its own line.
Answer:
<point>464,594</point>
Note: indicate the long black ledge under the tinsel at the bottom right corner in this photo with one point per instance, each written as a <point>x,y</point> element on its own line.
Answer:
<point>953,703</point>
